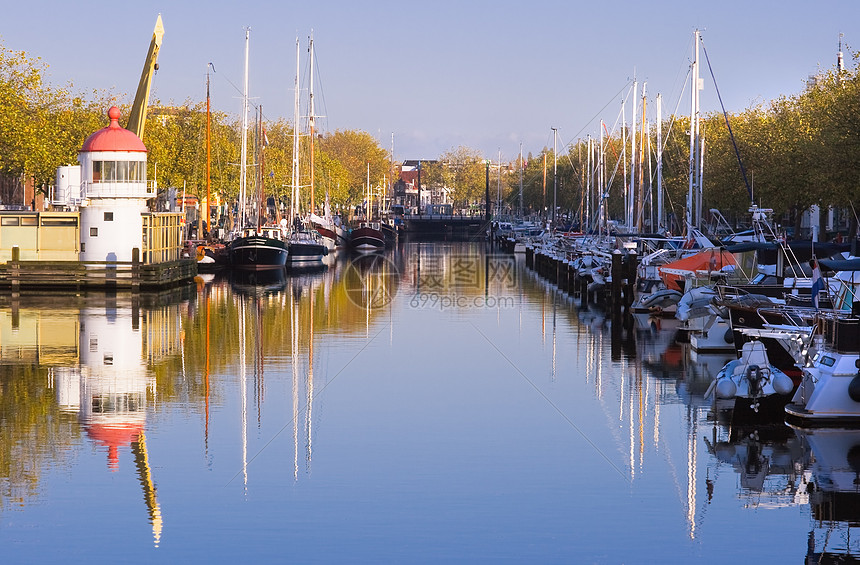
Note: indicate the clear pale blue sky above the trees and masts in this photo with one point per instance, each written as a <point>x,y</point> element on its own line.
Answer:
<point>487,75</point>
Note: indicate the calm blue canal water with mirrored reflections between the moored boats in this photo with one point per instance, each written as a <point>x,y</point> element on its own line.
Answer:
<point>435,404</point>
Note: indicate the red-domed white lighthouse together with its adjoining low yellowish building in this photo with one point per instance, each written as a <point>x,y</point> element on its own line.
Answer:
<point>99,209</point>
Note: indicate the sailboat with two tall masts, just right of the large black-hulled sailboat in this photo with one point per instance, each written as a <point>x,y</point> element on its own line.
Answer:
<point>305,244</point>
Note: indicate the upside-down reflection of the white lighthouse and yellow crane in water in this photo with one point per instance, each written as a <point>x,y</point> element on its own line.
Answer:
<point>111,385</point>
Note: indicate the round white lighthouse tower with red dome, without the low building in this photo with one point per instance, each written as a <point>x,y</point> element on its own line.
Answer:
<point>114,192</point>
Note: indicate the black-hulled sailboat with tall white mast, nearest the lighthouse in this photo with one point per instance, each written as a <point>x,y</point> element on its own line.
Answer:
<point>254,246</point>
